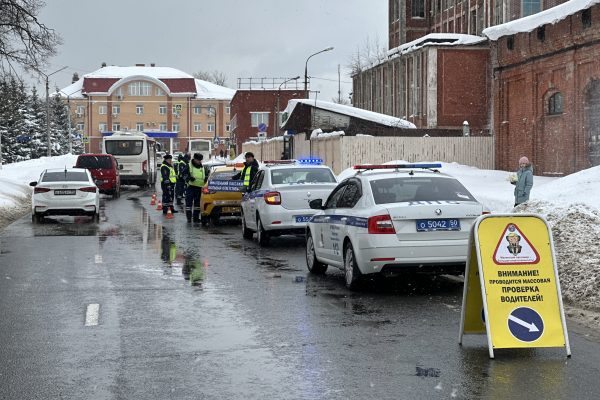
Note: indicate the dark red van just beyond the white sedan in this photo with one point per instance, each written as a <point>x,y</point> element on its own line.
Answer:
<point>105,171</point>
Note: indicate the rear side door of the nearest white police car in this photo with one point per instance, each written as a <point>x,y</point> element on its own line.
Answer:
<point>343,218</point>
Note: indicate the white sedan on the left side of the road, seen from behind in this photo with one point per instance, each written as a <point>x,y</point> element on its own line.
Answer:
<point>65,192</point>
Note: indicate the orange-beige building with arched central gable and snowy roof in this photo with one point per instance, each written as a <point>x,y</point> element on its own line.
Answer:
<point>162,102</point>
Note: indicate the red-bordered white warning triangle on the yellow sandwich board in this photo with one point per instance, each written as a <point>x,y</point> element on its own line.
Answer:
<point>514,248</point>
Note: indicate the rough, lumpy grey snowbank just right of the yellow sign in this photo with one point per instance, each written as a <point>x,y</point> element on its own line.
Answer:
<point>576,229</point>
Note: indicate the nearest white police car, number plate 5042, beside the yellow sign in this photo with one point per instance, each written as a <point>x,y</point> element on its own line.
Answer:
<point>392,218</point>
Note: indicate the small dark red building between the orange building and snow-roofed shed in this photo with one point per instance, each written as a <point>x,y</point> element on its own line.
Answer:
<point>259,101</point>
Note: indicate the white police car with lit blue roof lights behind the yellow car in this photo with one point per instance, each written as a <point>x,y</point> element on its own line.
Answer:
<point>276,202</point>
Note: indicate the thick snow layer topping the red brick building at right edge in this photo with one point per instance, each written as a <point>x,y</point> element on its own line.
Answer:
<point>531,22</point>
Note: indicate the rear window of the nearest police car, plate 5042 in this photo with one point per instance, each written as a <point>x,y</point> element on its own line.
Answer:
<point>399,190</point>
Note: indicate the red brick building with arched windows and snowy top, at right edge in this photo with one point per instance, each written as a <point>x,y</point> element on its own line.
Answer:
<point>546,89</point>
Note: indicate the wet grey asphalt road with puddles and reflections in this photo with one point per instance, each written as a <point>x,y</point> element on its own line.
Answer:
<point>199,313</point>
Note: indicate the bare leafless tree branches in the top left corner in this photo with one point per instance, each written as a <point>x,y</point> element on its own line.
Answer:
<point>24,41</point>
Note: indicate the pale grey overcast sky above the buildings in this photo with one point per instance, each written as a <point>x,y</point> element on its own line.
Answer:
<point>242,38</point>
